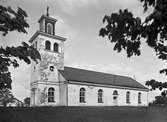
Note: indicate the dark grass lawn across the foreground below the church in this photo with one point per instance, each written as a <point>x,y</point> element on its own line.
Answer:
<point>84,114</point>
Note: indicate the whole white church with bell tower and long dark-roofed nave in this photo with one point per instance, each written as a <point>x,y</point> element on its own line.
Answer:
<point>53,84</point>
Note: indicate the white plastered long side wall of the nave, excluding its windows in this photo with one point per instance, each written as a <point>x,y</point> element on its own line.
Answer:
<point>91,96</point>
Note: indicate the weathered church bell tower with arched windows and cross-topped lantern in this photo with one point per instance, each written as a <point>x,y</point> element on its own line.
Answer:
<point>44,74</point>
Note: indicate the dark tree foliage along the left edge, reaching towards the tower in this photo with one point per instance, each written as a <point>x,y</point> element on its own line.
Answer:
<point>11,20</point>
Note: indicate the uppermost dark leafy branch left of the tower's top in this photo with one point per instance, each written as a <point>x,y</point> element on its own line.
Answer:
<point>11,20</point>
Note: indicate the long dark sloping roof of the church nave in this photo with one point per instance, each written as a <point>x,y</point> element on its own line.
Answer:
<point>87,76</point>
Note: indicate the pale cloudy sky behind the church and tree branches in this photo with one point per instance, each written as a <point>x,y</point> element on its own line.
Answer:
<point>80,21</point>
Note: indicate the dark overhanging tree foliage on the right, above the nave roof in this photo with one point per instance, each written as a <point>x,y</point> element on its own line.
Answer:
<point>128,32</point>
